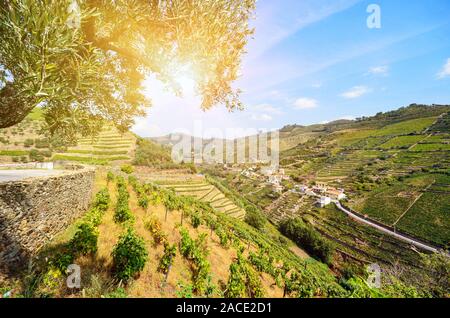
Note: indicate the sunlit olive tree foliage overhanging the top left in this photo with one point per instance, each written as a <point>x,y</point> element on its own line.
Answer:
<point>84,61</point>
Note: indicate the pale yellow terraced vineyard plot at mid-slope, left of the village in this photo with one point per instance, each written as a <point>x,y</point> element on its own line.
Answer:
<point>208,193</point>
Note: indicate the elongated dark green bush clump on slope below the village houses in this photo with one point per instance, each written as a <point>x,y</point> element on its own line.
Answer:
<point>308,238</point>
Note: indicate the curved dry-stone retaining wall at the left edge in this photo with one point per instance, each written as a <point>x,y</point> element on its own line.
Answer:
<point>33,211</point>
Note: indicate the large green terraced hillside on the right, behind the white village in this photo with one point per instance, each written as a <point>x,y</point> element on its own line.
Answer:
<point>394,169</point>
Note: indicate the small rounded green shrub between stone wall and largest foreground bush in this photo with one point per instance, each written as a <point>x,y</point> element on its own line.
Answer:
<point>85,239</point>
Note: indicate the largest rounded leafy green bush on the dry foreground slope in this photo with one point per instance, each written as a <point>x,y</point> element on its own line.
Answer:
<point>129,255</point>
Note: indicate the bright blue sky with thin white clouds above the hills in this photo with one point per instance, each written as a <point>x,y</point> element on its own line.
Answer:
<point>314,61</point>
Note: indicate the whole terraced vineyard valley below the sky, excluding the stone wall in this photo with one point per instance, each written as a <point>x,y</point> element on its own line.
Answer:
<point>345,195</point>
